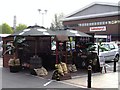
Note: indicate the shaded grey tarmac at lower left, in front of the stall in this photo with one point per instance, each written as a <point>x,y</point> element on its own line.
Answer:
<point>25,80</point>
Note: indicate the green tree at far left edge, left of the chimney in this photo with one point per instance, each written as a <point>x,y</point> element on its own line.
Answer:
<point>6,29</point>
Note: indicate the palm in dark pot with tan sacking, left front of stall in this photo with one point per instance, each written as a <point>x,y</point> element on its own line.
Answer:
<point>14,62</point>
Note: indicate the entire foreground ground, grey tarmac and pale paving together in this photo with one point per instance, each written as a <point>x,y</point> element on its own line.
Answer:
<point>100,81</point>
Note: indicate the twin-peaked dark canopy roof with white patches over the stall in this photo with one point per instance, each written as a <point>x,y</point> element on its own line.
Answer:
<point>41,31</point>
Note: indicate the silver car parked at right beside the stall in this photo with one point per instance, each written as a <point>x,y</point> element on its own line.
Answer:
<point>111,51</point>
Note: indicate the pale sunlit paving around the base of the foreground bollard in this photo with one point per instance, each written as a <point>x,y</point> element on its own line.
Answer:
<point>107,80</point>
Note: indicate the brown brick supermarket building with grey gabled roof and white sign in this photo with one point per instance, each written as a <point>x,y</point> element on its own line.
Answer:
<point>98,18</point>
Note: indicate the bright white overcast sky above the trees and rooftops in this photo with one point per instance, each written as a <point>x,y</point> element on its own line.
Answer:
<point>26,11</point>
